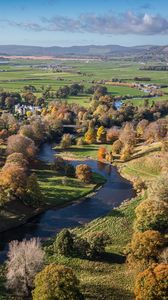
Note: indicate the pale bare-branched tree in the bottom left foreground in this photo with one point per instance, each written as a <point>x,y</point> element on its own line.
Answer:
<point>25,260</point>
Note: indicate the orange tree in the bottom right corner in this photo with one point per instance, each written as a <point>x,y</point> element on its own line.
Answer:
<point>152,284</point>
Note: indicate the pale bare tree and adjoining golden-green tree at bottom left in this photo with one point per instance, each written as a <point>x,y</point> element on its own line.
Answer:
<point>27,275</point>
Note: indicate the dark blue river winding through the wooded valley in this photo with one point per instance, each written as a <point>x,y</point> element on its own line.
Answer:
<point>112,194</point>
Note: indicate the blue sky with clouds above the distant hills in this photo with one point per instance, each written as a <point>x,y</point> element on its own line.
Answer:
<point>85,22</point>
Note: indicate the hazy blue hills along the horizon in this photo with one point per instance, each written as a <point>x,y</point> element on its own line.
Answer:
<point>90,50</point>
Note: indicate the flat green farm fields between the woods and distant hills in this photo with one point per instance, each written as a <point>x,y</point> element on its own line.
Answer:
<point>15,77</point>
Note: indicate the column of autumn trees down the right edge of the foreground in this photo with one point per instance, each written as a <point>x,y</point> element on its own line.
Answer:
<point>148,249</point>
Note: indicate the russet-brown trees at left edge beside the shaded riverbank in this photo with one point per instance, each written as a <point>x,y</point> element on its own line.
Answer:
<point>16,181</point>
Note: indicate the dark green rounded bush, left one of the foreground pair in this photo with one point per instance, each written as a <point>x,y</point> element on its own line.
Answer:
<point>64,243</point>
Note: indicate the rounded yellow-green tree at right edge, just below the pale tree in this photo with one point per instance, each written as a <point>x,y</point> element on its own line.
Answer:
<point>151,214</point>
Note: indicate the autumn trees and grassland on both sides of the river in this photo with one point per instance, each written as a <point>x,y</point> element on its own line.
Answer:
<point>118,256</point>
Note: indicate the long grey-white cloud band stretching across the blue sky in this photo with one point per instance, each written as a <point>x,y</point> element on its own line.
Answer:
<point>127,23</point>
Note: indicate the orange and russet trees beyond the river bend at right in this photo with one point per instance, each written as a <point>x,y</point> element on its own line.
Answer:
<point>124,139</point>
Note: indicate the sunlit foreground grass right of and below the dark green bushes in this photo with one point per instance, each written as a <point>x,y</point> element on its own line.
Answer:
<point>107,278</point>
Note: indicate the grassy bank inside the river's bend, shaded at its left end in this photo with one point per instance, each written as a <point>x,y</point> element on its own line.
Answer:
<point>58,192</point>
